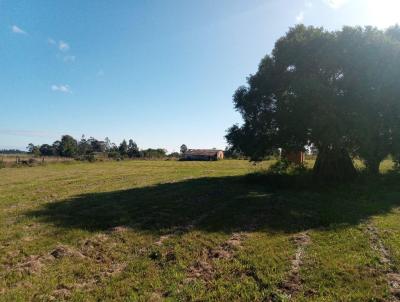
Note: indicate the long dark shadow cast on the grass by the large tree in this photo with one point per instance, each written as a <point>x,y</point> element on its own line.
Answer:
<point>276,203</point>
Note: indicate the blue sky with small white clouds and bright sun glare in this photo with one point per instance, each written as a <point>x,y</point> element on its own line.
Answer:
<point>161,72</point>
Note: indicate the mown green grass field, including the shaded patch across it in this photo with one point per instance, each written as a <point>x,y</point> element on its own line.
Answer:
<point>203,231</point>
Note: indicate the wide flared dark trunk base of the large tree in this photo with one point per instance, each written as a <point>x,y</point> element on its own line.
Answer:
<point>334,165</point>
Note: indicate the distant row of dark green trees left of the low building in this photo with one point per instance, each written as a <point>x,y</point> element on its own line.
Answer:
<point>86,149</point>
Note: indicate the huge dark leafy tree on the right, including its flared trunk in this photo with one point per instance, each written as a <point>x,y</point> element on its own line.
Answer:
<point>337,91</point>
